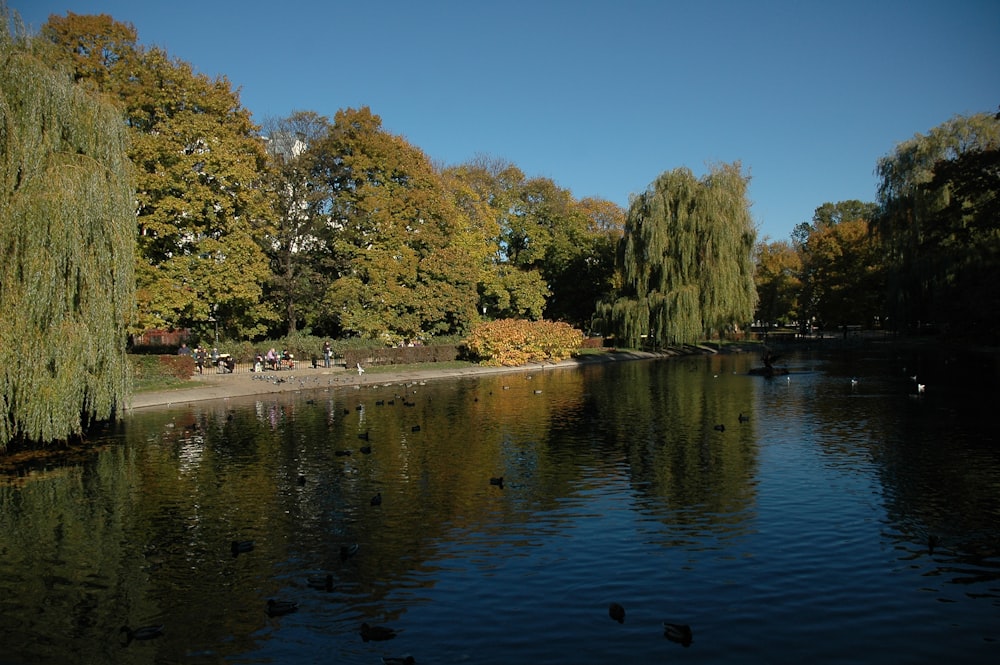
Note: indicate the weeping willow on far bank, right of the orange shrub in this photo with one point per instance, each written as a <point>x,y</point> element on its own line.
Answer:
<point>686,259</point>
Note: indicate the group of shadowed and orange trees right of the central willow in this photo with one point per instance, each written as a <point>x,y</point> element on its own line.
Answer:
<point>921,258</point>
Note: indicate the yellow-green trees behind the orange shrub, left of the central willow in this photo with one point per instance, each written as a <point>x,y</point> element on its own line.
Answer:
<point>546,254</point>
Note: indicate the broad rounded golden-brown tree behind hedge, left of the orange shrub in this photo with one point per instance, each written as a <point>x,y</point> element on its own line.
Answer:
<point>407,270</point>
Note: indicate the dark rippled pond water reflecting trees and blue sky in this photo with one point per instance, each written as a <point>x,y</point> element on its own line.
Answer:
<point>834,522</point>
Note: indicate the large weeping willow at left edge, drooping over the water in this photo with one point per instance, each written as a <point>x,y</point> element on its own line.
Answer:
<point>67,240</point>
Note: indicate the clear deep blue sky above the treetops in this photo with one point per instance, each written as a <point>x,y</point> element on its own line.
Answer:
<point>603,96</point>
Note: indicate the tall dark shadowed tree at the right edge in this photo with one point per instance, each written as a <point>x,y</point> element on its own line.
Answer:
<point>936,194</point>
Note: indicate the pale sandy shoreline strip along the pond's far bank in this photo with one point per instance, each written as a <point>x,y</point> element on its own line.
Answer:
<point>226,386</point>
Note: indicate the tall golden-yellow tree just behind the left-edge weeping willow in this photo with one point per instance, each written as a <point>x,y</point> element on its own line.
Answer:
<point>199,164</point>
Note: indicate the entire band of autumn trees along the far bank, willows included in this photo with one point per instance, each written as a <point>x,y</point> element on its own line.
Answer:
<point>139,194</point>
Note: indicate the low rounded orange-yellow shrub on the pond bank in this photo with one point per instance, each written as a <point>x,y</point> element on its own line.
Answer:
<point>514,342</point>
